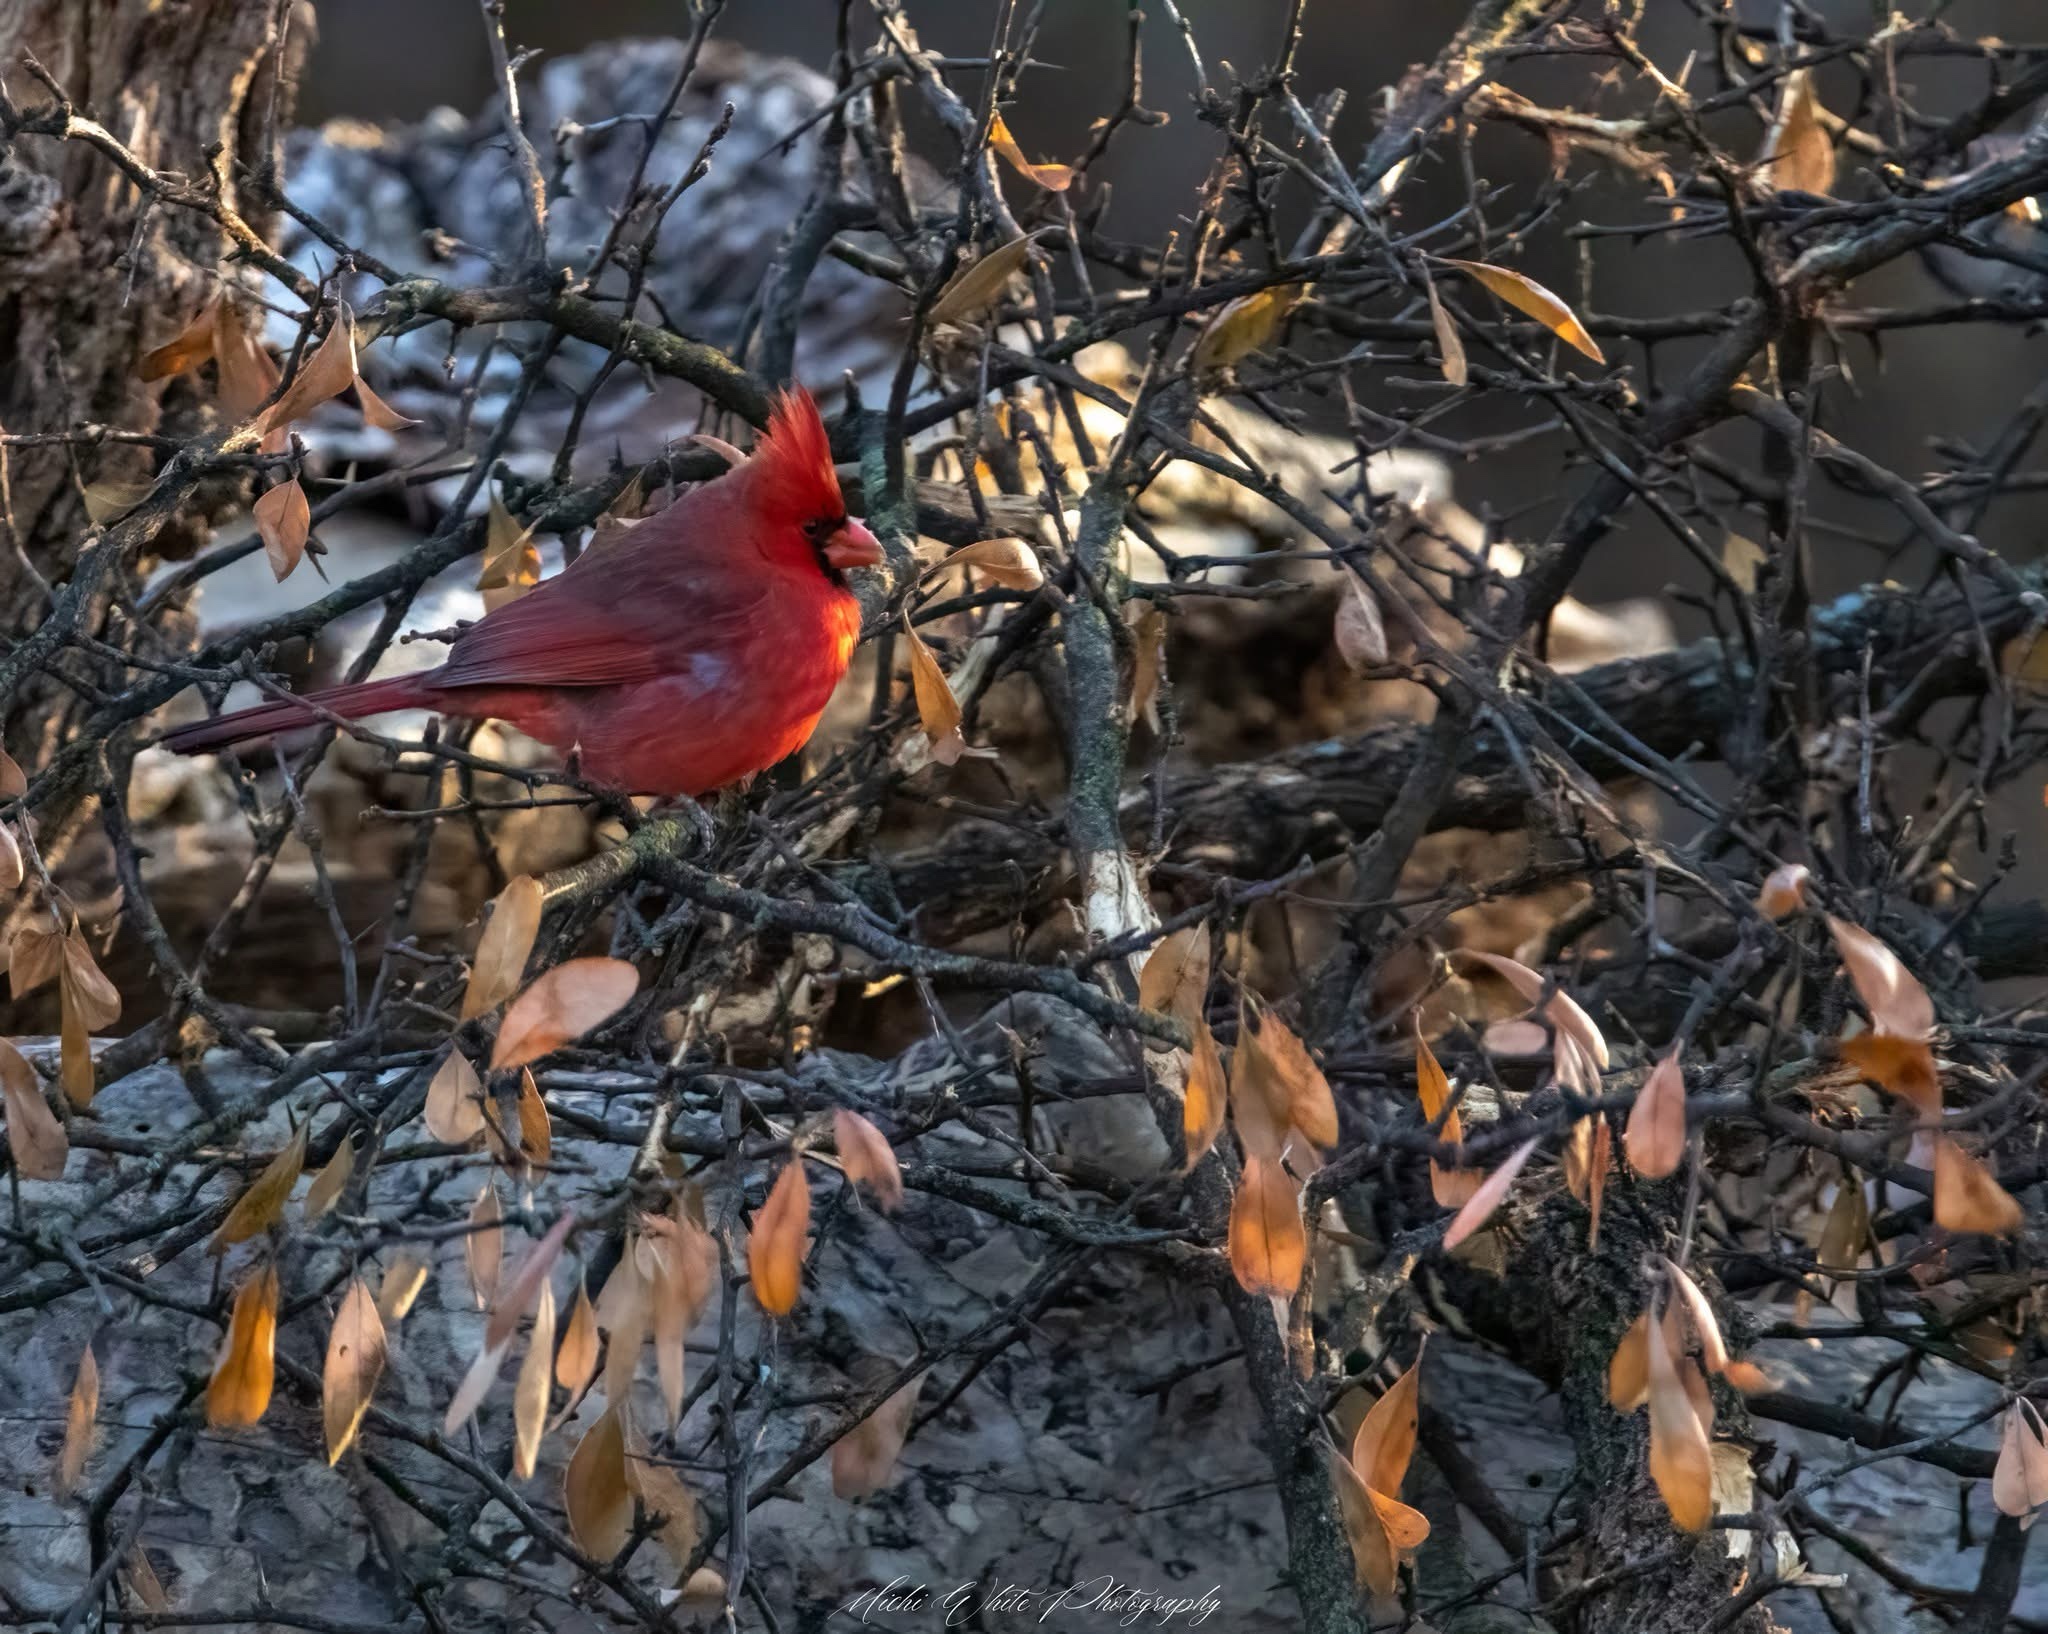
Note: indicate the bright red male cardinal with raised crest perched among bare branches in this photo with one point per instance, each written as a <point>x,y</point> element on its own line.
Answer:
<point>691,654</point>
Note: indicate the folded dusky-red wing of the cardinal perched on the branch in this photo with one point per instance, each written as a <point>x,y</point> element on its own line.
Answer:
<point>622,613</point>
